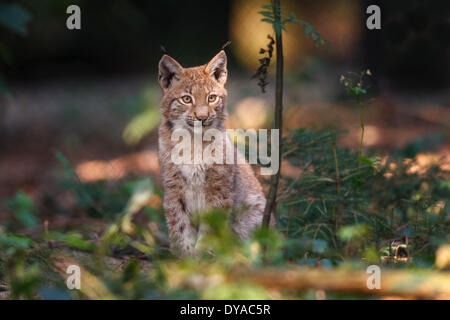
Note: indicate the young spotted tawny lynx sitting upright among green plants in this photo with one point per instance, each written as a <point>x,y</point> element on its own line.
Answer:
<point>198,94</point>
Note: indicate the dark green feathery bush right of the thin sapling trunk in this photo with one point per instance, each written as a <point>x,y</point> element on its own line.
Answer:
<point>357,206</point>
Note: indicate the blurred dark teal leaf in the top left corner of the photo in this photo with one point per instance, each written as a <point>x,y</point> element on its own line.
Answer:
<point>14,17</point>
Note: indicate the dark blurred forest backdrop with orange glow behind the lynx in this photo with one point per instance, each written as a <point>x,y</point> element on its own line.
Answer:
<point>92,94</point>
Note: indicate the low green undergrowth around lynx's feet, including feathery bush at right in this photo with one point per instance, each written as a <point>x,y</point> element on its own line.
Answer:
<point>337,213</point>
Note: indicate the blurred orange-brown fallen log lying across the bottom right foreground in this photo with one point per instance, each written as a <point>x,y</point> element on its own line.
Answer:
<point>416,284</point>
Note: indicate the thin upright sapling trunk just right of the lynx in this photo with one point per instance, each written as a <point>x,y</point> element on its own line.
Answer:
<point>274,180</point>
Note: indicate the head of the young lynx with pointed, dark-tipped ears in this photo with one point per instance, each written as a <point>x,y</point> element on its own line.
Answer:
<point>193,94</point>
